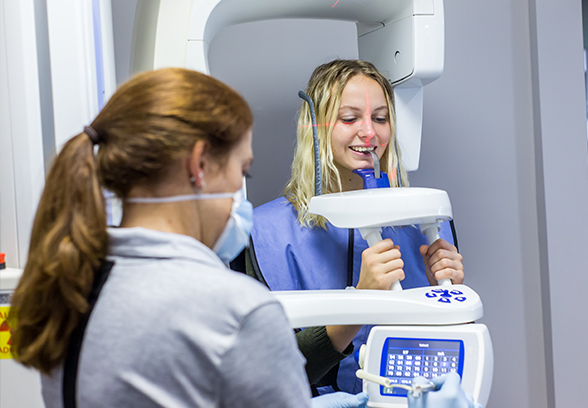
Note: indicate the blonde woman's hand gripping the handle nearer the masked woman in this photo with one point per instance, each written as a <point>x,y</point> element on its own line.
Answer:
<point>381,266</point>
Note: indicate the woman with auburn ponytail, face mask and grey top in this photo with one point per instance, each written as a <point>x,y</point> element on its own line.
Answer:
<point>172,326</point>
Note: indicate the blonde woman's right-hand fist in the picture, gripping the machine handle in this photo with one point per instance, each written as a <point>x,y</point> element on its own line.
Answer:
<point>442,261</point>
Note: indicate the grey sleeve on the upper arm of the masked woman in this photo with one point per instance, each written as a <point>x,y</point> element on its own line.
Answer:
<point>264,368</point>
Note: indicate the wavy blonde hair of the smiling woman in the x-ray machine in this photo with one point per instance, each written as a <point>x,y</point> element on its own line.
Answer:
<point>325,88</point>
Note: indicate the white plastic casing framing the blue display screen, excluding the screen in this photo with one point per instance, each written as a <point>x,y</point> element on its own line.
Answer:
<point>478,358</point>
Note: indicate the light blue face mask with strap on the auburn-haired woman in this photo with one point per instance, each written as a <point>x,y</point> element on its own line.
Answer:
<point>235,235</point>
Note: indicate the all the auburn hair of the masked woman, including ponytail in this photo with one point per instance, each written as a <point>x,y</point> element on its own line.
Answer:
<point>149,123</point>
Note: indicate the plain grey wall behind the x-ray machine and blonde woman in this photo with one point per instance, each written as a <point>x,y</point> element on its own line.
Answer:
<point>504,133</point>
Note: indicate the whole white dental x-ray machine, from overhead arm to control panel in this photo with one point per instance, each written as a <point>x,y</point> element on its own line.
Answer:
<point>428,331</point>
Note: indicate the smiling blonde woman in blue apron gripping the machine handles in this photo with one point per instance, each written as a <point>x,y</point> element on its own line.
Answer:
<point>293,249</point>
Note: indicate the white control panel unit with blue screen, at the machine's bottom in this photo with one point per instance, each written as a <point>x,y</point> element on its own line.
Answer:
<point>473,357</point>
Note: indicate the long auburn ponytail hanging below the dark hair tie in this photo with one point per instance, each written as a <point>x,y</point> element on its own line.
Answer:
<point>68,242</point>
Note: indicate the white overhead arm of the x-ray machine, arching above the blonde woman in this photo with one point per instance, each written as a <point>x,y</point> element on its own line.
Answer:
<point>403,38</point>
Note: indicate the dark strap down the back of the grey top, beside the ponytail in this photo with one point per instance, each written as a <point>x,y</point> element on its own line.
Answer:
<point>70,366</point>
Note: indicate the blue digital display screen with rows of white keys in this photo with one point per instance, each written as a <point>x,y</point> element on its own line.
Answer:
<point>403,359</point>
